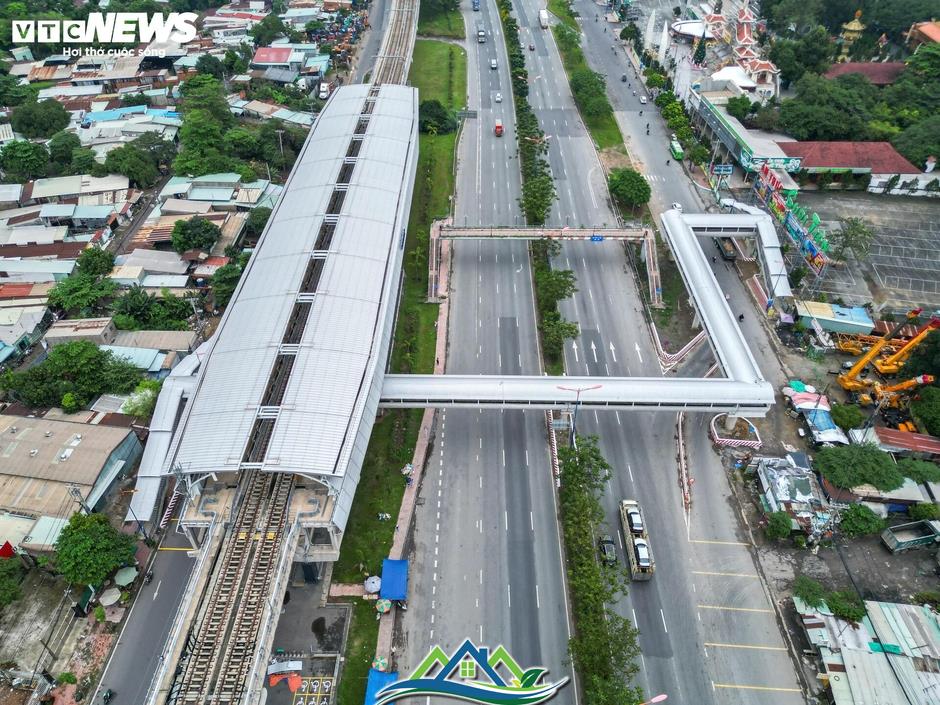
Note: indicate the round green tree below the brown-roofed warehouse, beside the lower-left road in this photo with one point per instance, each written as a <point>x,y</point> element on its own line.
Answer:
<point>89,548</point>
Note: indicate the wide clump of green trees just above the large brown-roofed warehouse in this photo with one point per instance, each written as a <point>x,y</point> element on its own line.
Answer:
<point>78,367</point>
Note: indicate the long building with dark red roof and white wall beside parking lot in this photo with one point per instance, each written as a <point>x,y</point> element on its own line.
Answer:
<point>879,161</point>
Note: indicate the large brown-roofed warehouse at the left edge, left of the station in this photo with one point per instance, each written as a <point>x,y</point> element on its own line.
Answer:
<point>45,458</point>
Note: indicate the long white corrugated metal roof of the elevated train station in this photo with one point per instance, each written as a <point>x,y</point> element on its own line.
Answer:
<point>334,366</point>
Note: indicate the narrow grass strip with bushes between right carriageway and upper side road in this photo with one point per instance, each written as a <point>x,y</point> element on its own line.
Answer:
<point>588,89</point>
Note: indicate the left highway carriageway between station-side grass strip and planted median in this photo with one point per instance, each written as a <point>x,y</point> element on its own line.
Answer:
<point>487,561</point>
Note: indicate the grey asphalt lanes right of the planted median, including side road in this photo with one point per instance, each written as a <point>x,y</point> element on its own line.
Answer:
<point>707,632</point>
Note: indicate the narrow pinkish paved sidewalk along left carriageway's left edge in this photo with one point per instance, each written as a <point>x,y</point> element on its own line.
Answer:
<point>422,447</point>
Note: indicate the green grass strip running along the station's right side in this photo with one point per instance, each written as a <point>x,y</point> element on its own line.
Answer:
<point>367,541</point>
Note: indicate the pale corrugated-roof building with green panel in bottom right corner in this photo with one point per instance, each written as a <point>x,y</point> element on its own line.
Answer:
<point>891,656</point>
